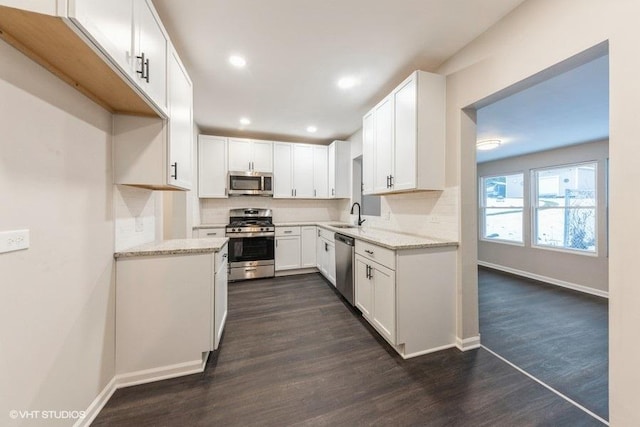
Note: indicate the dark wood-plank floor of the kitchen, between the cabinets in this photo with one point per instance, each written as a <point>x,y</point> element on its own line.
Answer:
<point>294,354</point>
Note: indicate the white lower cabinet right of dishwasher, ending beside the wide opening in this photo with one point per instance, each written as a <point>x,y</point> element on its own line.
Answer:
<point>408,296</point>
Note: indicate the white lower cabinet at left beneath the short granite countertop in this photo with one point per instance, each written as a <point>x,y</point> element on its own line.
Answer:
<point>170,310</point>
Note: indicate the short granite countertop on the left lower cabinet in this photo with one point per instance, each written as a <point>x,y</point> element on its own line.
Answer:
<point>175,247</point>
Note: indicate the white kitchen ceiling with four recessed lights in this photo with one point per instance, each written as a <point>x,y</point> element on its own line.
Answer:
<point>296,50</point>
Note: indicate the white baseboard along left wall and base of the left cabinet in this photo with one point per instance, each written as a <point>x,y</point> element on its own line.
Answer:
<point>136,378</point>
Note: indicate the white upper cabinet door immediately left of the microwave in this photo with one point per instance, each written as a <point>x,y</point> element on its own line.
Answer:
<point>212,167</point>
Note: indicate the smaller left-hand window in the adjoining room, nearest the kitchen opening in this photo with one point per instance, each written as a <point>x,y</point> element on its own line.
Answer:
<point>501,205</point>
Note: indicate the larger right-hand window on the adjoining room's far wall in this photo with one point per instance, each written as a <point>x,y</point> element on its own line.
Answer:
<point>564,205</point>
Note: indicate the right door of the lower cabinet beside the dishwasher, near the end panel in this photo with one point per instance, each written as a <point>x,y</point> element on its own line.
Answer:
<point>384,301</point>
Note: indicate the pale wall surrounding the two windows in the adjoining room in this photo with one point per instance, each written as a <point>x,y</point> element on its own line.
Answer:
<point>576,270</point>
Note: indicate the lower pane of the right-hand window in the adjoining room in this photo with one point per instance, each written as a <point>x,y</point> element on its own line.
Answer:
<point>572,228</point>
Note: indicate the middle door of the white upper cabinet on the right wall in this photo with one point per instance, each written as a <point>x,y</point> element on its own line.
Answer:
<point>383,135</point>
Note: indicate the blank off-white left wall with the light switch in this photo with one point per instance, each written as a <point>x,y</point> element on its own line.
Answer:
<point>57,297</point>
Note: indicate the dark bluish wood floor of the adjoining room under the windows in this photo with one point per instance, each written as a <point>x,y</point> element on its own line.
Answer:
<point>558,335</point>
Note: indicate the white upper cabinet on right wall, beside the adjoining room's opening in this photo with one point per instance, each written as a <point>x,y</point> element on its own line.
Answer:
<point>404,137</point>
